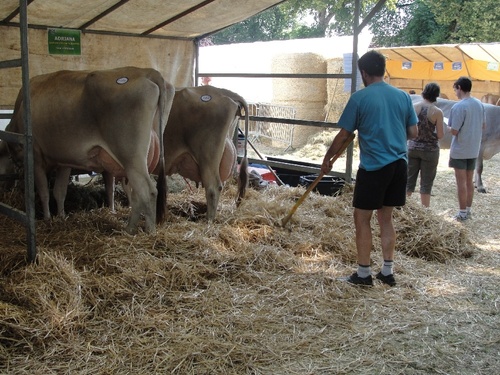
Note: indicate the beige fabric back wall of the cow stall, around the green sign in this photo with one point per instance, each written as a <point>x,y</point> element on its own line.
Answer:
<point>174,59</point>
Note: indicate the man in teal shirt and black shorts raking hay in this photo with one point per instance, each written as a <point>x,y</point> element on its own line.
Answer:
<point>385,119</point>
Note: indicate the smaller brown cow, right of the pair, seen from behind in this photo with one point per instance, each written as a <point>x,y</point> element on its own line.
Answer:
<point>199,141</point>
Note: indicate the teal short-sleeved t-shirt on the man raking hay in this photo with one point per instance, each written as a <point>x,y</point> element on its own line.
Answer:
<point>381,114</point>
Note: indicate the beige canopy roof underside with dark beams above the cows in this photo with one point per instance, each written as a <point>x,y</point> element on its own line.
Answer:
<point>178,19</point>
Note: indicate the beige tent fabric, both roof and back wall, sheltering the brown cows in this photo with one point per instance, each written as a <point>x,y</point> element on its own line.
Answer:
<point>146,33</point>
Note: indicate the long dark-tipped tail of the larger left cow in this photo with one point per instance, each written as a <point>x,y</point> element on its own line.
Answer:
<point>166,98</point>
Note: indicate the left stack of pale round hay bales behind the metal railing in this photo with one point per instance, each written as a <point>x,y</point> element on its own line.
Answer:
<point>306,95</point>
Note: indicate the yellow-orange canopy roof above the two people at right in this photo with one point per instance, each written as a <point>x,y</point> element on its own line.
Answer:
<point>479,61</point>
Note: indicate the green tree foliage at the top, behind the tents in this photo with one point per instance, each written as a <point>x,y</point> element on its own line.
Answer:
<point>398,23</point>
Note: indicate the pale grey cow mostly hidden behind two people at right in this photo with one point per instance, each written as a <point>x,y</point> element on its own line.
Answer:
<point>490,141</point>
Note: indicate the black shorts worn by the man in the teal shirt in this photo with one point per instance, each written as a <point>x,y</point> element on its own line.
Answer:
<point>383,187</point>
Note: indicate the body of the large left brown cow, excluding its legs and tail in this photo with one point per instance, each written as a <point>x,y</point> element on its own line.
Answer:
<point>74,111</point>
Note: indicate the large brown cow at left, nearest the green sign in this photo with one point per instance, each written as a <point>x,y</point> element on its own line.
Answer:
<point>102,120</point>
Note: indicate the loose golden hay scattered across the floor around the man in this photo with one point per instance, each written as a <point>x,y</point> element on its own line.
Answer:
<point>242,294</point>
